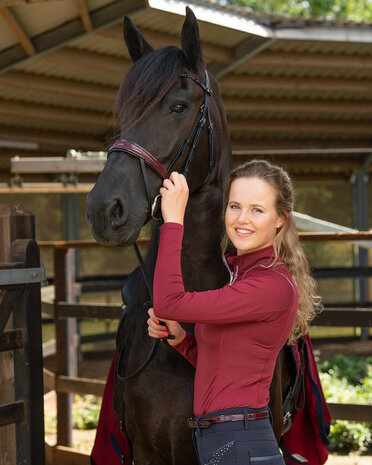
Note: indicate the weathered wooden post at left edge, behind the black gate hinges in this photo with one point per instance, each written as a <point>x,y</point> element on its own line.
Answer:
<point>15,223</point>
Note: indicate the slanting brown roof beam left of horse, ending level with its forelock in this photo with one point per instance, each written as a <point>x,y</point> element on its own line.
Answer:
<point>64,87</point>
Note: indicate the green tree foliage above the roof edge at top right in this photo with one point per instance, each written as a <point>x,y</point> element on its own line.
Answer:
<point>353,10</point>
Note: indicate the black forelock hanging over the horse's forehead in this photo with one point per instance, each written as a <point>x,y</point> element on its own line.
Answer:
<point>147,82</point>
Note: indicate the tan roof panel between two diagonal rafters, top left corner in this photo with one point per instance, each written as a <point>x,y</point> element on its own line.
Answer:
<point>41,17</point>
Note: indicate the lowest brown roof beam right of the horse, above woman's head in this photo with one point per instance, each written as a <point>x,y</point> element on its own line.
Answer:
<point>302,127</point>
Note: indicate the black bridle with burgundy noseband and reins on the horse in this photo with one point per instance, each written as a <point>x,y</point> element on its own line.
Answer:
<point>145,159</point>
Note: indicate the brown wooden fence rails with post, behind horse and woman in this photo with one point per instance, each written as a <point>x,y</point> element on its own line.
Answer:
<point>65,311</point>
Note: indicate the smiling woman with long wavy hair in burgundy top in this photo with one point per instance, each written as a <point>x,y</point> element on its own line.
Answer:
<point>240,328</point>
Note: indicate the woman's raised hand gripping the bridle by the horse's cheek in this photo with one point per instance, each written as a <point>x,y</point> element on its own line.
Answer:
<point>174,196</point>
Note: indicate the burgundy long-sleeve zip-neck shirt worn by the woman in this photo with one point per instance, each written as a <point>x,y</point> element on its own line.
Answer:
<point>239,329</point>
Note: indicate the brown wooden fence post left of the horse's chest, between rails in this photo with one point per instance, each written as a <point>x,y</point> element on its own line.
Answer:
<point>66,359</point>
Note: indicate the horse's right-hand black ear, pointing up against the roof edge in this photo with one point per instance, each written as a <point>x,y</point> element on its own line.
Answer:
<point>190,40</point>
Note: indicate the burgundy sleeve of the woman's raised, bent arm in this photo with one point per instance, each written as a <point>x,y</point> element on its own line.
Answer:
<point>254,298</point>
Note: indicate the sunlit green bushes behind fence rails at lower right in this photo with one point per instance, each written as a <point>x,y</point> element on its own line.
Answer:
<point>347,379</point>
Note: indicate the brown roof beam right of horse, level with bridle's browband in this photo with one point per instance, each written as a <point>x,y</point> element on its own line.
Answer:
<point>298,84</point>
